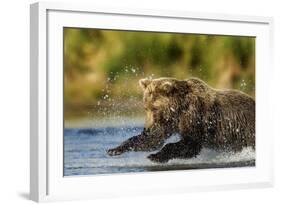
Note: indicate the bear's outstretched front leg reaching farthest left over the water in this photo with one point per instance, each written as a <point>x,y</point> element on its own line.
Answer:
<point>148,140</point>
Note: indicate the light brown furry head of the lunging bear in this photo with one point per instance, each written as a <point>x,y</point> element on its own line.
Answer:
<point>162,100</point>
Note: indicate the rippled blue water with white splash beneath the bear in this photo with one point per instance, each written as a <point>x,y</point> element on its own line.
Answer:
<point>85,154</point>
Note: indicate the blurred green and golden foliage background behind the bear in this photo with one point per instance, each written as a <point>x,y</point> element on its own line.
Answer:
<point>99,63</point>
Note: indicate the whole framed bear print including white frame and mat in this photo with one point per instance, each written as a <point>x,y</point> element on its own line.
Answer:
<point>127,102</point>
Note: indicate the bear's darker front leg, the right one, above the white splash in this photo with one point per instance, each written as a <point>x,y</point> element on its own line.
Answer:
<point>182,150</point>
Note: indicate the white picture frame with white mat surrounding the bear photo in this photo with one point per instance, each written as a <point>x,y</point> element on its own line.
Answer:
<point>46,177</point>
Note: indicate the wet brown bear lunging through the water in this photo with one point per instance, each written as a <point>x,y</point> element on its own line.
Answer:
<point>201,115</point>
